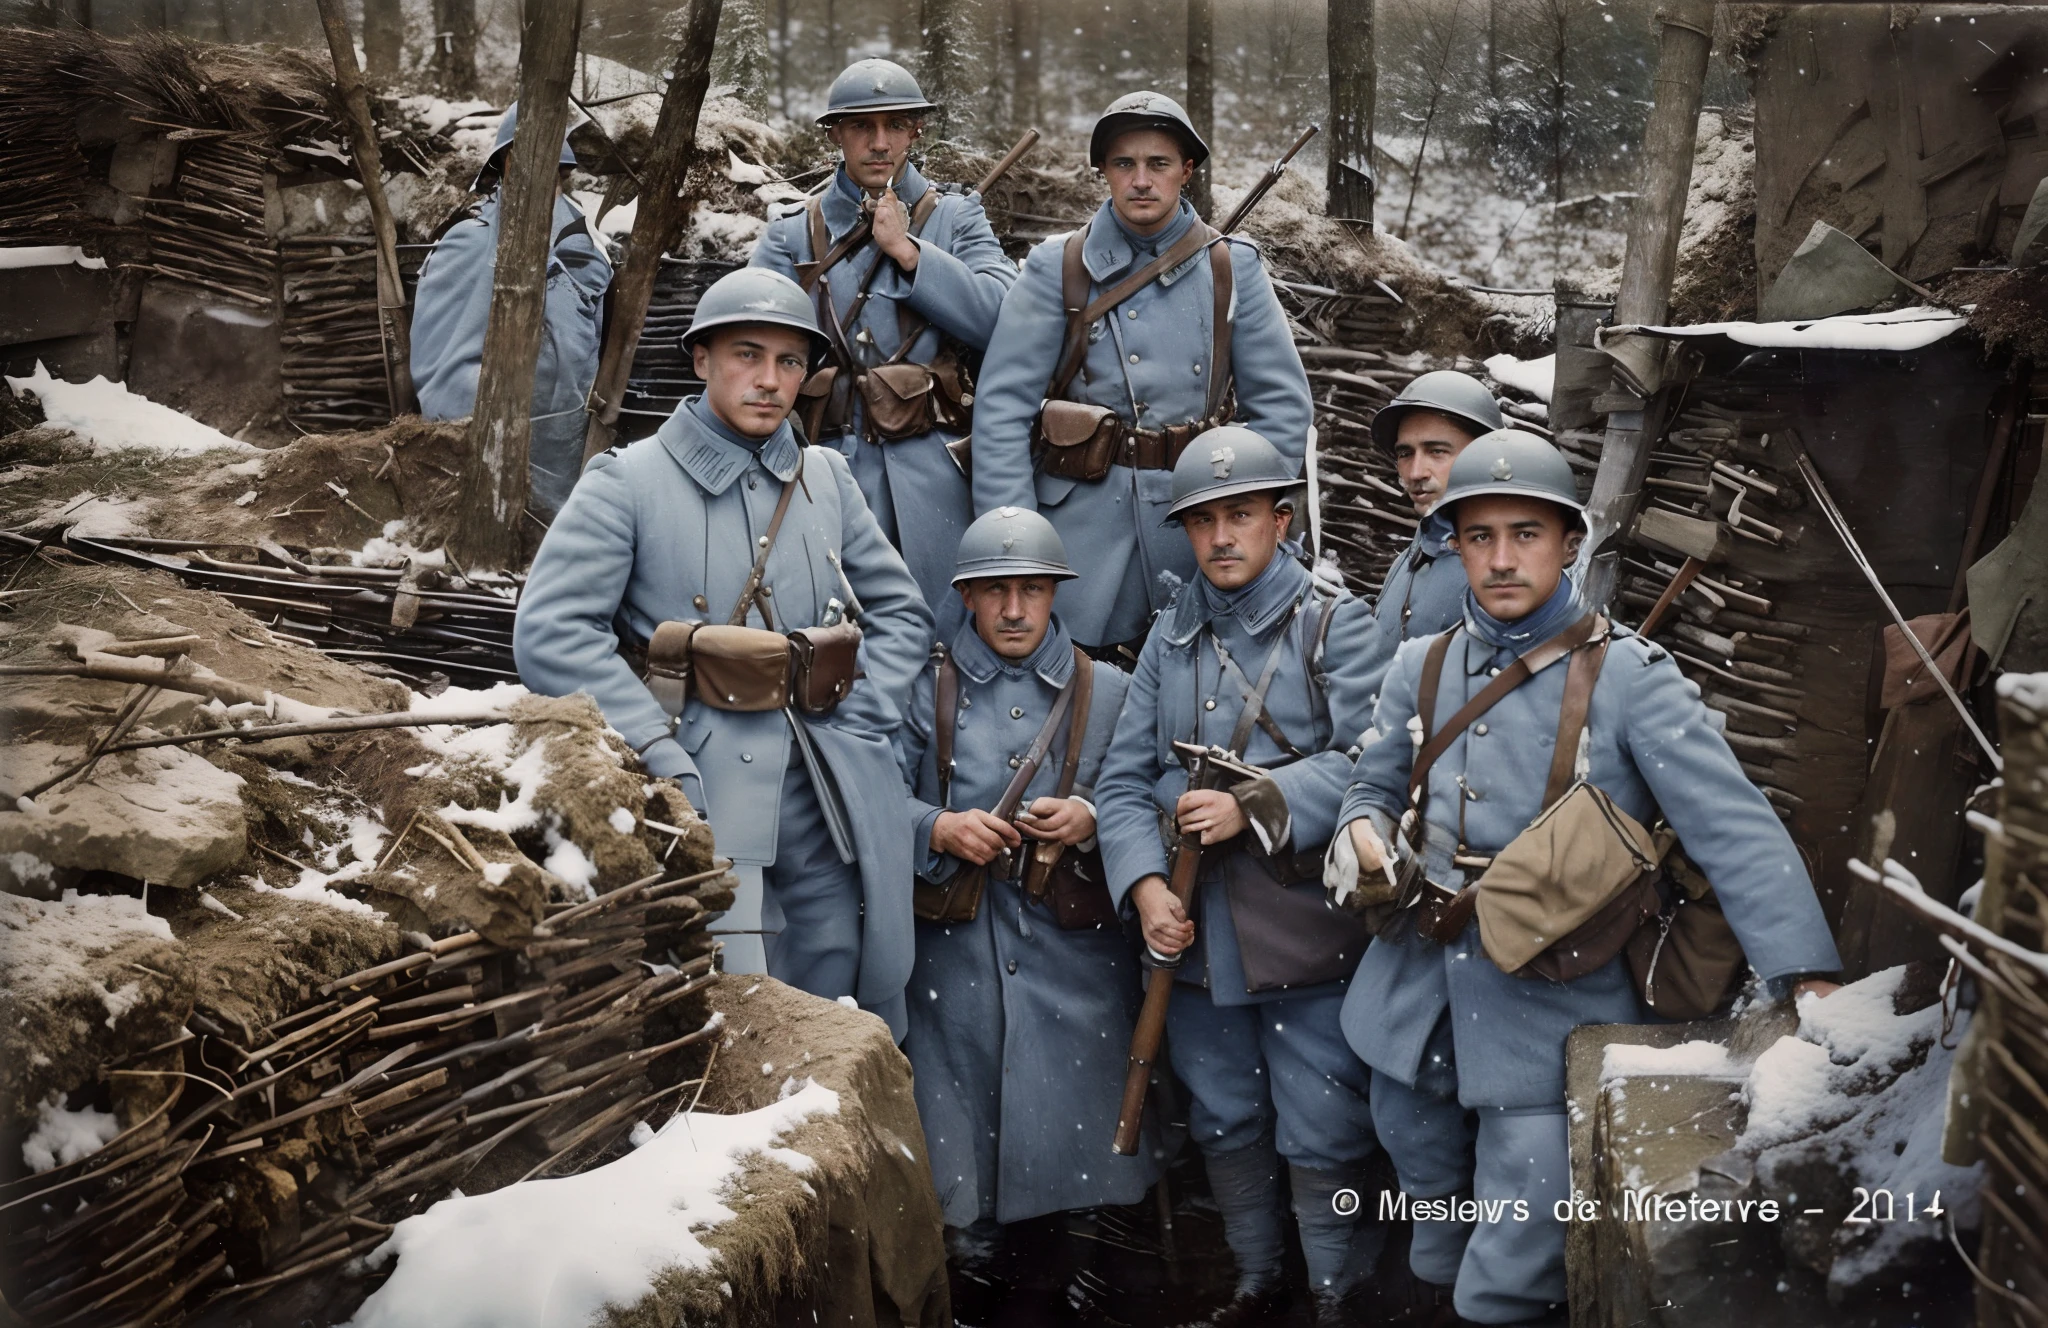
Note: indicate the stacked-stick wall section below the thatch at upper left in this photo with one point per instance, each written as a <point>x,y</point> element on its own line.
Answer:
<point>212,235</point>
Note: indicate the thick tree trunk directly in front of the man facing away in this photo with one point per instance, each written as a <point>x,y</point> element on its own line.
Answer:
<point>495,476</point>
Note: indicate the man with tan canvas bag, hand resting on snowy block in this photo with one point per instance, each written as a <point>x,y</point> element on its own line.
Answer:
<point>1535,704</point>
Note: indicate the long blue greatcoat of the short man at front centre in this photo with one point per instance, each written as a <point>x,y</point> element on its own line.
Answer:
<point>1019,1032</point>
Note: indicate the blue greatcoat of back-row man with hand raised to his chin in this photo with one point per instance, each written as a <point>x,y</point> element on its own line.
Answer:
<point>914,487</point>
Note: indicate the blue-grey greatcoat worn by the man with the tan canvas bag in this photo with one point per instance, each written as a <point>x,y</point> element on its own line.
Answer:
<point>1652,747</point>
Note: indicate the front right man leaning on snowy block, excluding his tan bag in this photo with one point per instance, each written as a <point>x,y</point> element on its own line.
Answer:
<point>1648,743</point>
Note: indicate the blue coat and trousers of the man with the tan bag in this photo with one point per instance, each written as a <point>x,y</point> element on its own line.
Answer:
<point>1650,745</point>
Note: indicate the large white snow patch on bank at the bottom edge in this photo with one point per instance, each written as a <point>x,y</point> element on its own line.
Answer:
<point>556,1253</point>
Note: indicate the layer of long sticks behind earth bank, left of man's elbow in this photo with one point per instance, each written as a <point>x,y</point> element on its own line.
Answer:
<point>396,622</point>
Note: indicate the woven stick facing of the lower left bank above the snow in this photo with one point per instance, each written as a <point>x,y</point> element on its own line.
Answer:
<point>292,1151</point>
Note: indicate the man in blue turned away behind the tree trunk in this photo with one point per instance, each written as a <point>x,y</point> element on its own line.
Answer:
<point>454,306</point>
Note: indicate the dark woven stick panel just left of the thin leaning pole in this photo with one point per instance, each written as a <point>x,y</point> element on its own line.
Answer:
<point>333,347</point>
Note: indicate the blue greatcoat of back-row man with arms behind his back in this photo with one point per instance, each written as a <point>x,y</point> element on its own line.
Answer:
<point>1150,364</point>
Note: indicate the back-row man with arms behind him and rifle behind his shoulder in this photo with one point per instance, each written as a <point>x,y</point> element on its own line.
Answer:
<point>1172,335</point>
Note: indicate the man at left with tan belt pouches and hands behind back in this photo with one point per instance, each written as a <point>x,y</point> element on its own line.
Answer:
<point>724,548</point>
